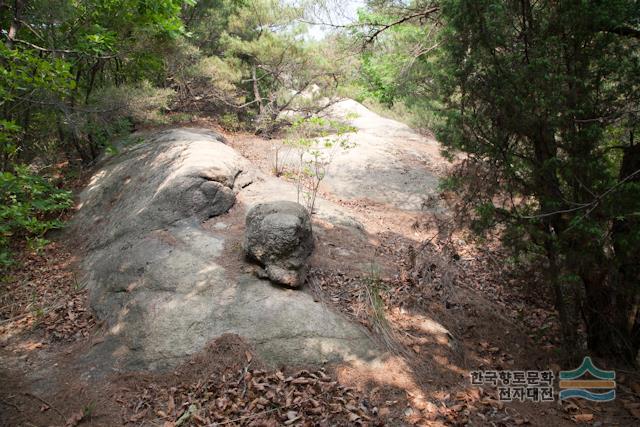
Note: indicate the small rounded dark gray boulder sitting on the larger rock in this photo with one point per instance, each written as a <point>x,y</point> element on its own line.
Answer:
<point>279,236</point>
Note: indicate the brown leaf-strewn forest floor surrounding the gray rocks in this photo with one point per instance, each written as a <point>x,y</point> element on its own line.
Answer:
<point>441,303</point>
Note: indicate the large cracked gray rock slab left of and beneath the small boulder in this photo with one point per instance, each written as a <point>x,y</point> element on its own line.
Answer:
<point>159,280</point>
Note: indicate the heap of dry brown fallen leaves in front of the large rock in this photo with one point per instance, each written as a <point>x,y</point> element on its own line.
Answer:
<point>255,398</point>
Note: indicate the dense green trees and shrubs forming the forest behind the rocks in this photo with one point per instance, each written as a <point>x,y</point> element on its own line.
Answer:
<point>537,103</point>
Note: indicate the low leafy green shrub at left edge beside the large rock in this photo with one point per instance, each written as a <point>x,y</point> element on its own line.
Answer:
<point>29,207</point>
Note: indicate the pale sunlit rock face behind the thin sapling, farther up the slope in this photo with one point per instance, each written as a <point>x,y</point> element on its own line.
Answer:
<point>390,163</point>
